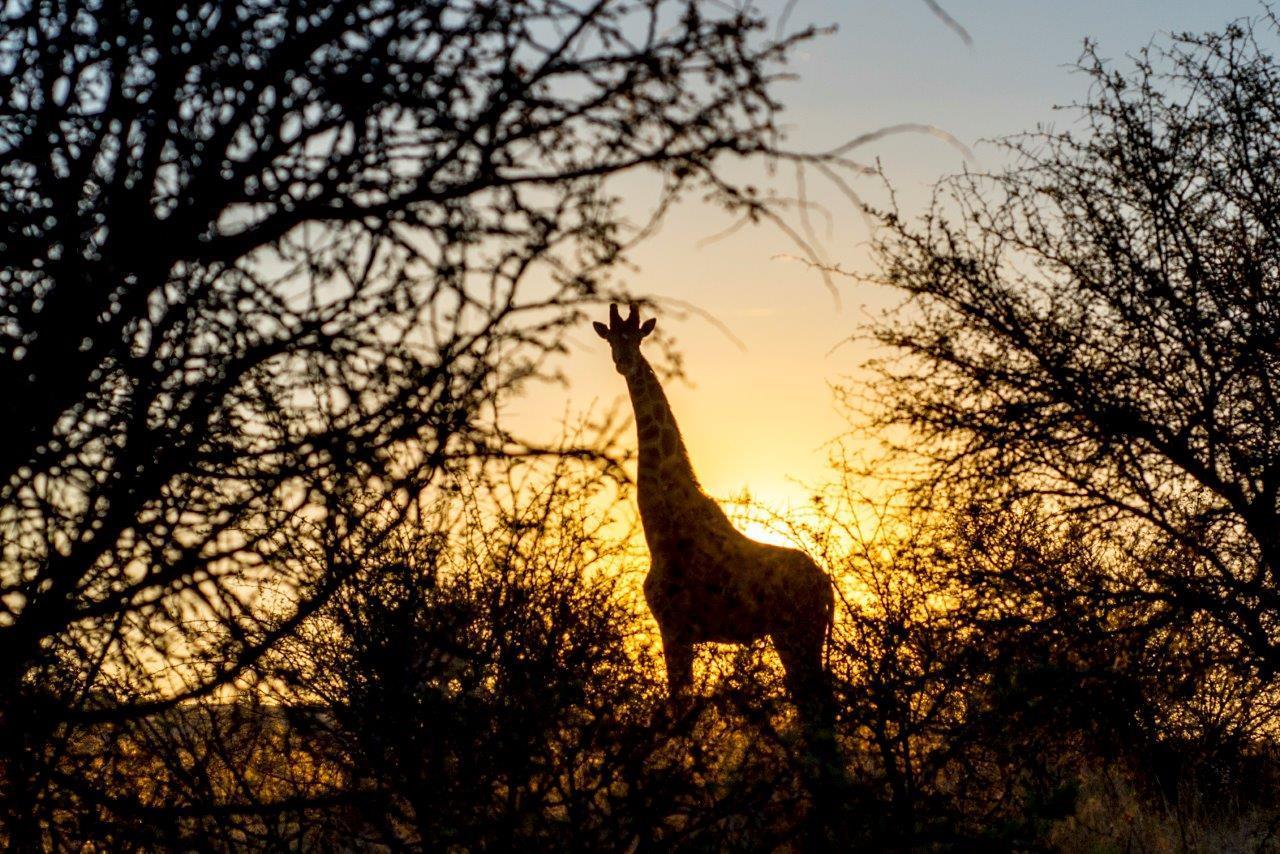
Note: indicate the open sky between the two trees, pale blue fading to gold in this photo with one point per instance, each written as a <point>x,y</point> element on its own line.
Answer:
<point>758,414</point>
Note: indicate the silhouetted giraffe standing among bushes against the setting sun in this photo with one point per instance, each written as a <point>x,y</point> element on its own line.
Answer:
<point>708,582</point>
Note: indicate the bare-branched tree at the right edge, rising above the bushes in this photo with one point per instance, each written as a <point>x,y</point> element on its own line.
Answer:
<point>1098,328</point>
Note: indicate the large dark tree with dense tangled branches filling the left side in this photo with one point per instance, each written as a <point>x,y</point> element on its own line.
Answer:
<point>262,255</point>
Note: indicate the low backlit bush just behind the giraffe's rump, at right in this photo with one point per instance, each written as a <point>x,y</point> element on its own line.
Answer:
<point>991,669</point>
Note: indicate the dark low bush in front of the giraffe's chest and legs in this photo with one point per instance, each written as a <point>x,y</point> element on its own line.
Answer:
<point>492,684</point>
